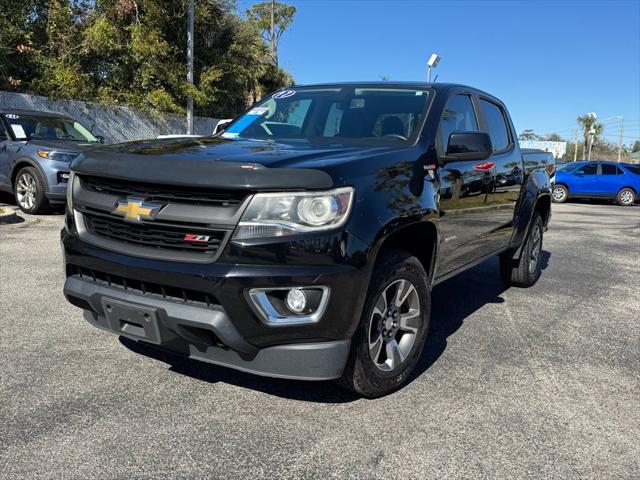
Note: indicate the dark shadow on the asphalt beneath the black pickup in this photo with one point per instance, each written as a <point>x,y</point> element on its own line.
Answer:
<point>453,301</point>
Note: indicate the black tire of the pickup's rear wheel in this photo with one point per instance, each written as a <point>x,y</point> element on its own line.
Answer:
<point>524,272</point>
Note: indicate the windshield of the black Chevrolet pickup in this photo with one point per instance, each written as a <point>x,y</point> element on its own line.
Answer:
<point>376,115</point>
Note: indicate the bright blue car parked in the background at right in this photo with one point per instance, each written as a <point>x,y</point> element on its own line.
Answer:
<point>607,180</point>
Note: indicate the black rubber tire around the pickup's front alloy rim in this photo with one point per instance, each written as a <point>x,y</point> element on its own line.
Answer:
<point>362,374</point>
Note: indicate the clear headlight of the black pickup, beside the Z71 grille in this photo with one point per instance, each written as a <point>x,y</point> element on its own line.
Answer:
<point>279,214</point>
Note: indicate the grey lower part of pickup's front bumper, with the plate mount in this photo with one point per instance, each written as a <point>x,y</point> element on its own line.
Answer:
<point>201,333</point>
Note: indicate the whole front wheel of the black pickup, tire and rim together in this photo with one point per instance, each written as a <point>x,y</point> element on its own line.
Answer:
<point>393,327</point>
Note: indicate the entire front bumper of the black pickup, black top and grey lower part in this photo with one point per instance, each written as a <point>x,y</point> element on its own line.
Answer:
<point>227,331</point>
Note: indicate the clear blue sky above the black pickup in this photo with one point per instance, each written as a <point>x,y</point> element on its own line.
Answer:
<point>549,61</point>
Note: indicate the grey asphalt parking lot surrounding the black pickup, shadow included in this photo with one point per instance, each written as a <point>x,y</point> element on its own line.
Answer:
<point>537,383</point>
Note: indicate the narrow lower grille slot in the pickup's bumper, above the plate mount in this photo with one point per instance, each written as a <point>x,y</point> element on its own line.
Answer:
<point>144,288</point>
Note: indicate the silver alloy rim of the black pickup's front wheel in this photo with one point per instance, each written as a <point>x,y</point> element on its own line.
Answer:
<point>394,325</point>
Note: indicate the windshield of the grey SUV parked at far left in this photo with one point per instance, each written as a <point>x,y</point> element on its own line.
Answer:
<point>34,127</point>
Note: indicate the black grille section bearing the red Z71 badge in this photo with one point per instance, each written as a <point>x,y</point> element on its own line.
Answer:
<point>154,235</point>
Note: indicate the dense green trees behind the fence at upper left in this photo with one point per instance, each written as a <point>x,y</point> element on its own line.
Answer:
<point>134,52</point>
